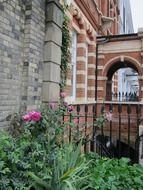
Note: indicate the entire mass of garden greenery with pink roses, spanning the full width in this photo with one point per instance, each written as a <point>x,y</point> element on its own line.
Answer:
<point>34,159</point>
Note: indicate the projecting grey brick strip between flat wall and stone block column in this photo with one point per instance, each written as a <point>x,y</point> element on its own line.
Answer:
<point>34,32</point>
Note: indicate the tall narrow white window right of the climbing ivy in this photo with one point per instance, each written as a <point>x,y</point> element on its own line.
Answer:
<point>73,65</point>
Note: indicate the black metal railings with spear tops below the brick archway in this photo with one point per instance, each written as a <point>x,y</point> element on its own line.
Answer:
<point>119,137</point>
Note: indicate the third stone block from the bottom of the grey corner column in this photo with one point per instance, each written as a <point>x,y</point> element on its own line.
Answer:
<point>52,53</point>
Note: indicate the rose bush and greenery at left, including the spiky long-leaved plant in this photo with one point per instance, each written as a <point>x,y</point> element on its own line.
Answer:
<point>35,160</point>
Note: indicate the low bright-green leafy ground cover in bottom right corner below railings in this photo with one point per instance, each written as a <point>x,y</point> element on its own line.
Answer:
<point>112,174</point>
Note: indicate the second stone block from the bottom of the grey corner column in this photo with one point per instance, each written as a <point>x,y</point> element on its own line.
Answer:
<point>51,72</point>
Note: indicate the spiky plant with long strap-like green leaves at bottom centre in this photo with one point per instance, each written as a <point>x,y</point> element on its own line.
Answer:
<point>68,171</point>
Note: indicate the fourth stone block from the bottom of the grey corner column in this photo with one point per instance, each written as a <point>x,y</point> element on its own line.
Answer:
<point>53,33</point>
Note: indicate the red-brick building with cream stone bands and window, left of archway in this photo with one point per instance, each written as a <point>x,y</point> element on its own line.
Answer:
<point>88,19</point>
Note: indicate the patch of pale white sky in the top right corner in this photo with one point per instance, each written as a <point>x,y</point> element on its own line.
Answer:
<point>137,13</point>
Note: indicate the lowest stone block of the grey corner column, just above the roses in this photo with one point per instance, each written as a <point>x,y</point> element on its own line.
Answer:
<point>50,92</point>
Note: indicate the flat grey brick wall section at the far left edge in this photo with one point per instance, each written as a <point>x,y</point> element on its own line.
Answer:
<point>12,19</point>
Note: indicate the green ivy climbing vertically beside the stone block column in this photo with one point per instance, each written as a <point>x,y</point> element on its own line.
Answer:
<point>65,50</point>
